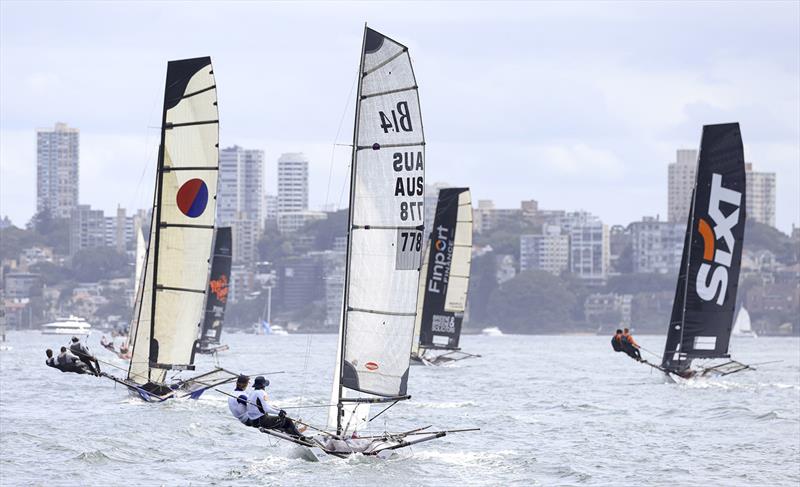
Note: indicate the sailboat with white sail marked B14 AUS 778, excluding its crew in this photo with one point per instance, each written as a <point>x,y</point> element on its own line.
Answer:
<point>384,248</point>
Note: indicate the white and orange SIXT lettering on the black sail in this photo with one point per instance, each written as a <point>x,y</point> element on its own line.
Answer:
<point>717,260</point>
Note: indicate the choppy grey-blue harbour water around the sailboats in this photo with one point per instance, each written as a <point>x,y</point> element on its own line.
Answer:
<point>553,411</point>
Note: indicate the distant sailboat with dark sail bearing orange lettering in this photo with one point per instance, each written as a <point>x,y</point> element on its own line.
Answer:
<point>216,293</point>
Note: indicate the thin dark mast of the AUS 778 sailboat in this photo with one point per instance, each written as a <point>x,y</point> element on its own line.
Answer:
<point>351,206</point>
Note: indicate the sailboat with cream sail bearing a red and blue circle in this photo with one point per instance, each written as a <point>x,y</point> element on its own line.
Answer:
<point>169,305</point>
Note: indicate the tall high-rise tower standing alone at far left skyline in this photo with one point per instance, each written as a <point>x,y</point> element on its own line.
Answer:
<point>57,155</point>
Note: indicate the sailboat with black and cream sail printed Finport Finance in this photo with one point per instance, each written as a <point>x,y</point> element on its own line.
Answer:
<point>442,293</point>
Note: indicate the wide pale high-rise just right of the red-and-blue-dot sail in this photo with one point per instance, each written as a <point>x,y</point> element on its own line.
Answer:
<point>240,199</point>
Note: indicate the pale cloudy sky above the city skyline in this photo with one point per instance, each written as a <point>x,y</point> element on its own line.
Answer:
<point>579,106</point>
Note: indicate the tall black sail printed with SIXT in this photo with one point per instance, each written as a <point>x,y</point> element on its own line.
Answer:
<point>705,298</point>
